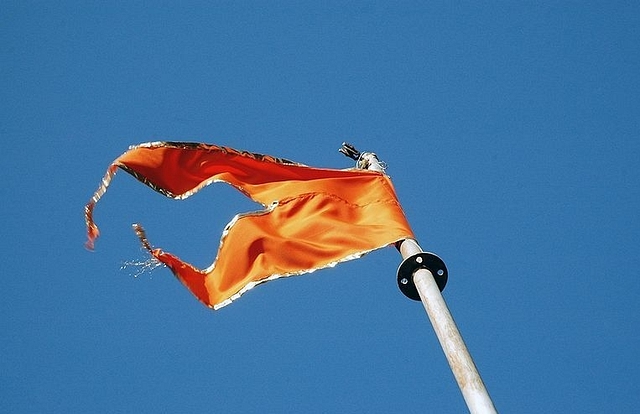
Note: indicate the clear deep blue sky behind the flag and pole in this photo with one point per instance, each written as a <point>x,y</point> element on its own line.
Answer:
<point>511,131</point>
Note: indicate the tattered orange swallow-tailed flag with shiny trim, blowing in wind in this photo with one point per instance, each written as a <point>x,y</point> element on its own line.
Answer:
<point>312,218</point>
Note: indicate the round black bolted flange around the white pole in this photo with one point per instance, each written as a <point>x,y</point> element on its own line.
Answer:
<point>423,260</point>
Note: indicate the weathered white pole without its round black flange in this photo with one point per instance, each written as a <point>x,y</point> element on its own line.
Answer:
<point>464,370</point>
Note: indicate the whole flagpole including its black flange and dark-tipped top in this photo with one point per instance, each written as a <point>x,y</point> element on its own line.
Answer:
<point>417,281</point>
